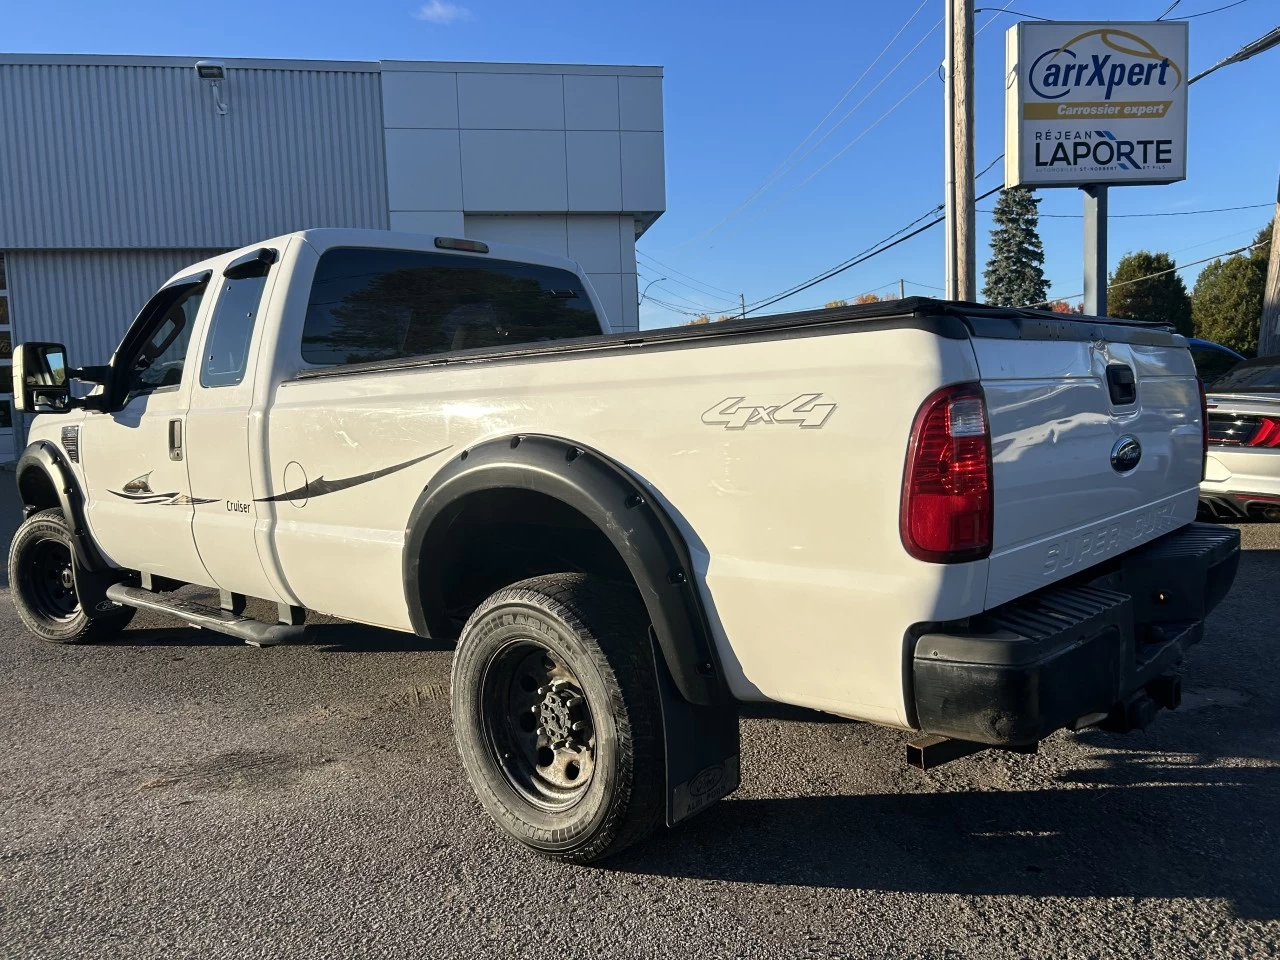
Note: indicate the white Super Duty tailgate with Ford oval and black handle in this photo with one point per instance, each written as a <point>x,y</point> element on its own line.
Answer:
<point>1071,490</point>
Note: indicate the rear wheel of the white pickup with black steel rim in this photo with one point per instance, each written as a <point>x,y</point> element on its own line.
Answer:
<point>577,651</point>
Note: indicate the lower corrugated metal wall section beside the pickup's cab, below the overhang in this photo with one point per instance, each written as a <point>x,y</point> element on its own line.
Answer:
<point>86,299</point>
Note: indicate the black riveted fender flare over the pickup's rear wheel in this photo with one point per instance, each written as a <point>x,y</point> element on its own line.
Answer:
<point>609,496</point>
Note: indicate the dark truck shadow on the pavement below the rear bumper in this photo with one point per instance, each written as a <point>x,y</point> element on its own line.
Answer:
<point>1203,833</point>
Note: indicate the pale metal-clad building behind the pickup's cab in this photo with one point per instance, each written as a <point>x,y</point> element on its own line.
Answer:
<point>118,171</point>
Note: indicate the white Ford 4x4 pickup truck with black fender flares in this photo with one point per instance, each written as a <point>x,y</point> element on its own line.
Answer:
<point>968,523</point>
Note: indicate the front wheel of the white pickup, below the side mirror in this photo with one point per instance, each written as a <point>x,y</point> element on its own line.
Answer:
<point>40,580</point>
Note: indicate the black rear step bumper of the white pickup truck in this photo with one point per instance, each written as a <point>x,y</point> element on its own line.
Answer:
<point>1075,653</point>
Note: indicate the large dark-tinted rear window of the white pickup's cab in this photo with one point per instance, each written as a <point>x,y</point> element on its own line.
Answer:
<point>387,304</point>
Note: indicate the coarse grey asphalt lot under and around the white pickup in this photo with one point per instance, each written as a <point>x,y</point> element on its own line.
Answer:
<point>176,794</point>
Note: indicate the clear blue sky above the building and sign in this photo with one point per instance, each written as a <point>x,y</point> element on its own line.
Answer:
<point>746,83</point>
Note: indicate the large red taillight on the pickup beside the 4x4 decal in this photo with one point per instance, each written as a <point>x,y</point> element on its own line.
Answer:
<point>948,509</point>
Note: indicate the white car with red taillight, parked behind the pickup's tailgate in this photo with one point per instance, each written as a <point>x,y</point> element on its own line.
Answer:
<point>1242,476</point>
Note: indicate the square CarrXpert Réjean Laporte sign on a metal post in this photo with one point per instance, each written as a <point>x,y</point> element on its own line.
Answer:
<point>1095,103</point>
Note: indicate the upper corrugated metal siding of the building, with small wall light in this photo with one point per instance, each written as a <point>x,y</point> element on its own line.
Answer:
<point>129,157</point>
